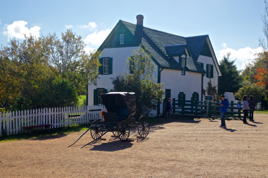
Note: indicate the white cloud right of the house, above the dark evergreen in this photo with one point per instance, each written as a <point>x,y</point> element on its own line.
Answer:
<point>241,56</point>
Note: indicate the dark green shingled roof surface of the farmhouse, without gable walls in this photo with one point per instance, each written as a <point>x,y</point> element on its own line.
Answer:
<point>156,41</point>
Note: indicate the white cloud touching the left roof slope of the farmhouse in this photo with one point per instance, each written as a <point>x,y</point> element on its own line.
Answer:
<point>95,39</point>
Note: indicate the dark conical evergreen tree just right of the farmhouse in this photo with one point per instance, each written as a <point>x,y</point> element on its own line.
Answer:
<point>230,81</point>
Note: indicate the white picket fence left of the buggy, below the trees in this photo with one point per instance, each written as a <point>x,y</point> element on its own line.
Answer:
<point>13,122</point>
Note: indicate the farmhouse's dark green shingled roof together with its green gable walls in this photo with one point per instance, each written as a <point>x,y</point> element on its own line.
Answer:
<point>161,46</point>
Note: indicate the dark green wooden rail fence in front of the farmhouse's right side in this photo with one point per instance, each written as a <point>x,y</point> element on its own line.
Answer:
<point>204,108</point>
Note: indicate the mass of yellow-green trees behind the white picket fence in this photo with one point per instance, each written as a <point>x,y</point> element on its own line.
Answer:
<point>34,69</point>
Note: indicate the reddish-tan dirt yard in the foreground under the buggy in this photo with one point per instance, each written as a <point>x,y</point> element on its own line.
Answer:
<point>180,148</point>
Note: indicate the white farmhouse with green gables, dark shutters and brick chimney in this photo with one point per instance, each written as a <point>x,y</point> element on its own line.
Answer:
<point>183,64</point>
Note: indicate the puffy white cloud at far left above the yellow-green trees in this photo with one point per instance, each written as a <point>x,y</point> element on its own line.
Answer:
<point>18,29</point>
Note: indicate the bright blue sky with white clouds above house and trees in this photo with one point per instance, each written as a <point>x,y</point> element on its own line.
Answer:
<point>233,25</point>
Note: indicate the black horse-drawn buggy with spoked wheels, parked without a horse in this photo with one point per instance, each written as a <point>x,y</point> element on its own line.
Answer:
<point>119,118</point>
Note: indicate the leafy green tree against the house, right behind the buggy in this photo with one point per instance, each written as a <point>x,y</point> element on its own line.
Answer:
<point>139,78</point>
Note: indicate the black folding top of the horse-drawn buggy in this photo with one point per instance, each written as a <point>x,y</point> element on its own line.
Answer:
<point>121,103</point>
